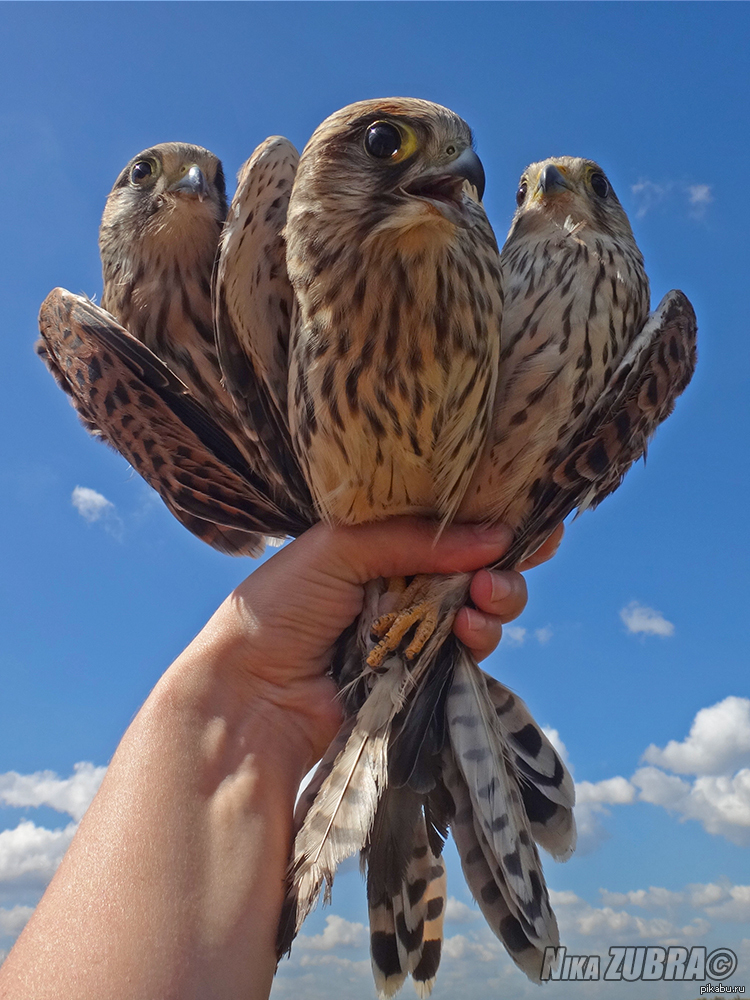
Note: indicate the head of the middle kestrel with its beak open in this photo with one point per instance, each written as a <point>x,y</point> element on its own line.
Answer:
<point>393,162</point>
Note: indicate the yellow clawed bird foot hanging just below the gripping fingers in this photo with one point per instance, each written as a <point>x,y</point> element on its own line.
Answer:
<point>415,607</point>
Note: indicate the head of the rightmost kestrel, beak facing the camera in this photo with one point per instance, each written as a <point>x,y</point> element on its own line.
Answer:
<point>569,191</point>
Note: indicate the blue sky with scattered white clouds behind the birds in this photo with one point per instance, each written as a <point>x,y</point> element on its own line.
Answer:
<point>94,610</point>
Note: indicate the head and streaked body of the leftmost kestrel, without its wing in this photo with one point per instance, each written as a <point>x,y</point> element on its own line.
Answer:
<point>159,241</point>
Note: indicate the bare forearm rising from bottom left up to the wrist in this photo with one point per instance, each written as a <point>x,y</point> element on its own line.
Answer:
<point>173,884</point>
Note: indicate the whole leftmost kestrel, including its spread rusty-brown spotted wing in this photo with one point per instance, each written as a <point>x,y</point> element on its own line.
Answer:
<point>159,240</point>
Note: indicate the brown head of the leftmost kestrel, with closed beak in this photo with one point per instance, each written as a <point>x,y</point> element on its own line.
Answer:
<point>169,198</point>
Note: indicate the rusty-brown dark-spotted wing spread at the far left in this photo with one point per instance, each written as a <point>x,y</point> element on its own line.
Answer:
<point>126,395</point>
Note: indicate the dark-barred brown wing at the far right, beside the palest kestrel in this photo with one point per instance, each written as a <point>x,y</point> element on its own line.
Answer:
<point>641,394</point>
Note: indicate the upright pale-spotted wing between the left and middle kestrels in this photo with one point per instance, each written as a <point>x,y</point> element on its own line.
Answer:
<point>252,308</point>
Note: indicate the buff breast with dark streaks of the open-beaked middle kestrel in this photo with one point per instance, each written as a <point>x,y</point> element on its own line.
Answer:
<point>387,379</point>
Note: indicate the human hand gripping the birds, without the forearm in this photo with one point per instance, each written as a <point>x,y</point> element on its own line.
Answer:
<point>276,632</point>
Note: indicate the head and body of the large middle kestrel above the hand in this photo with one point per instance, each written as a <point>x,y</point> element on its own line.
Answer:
<point>394,351</point>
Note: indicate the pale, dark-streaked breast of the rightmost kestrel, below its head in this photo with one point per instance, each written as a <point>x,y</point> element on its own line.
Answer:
<point>571,312</point>
